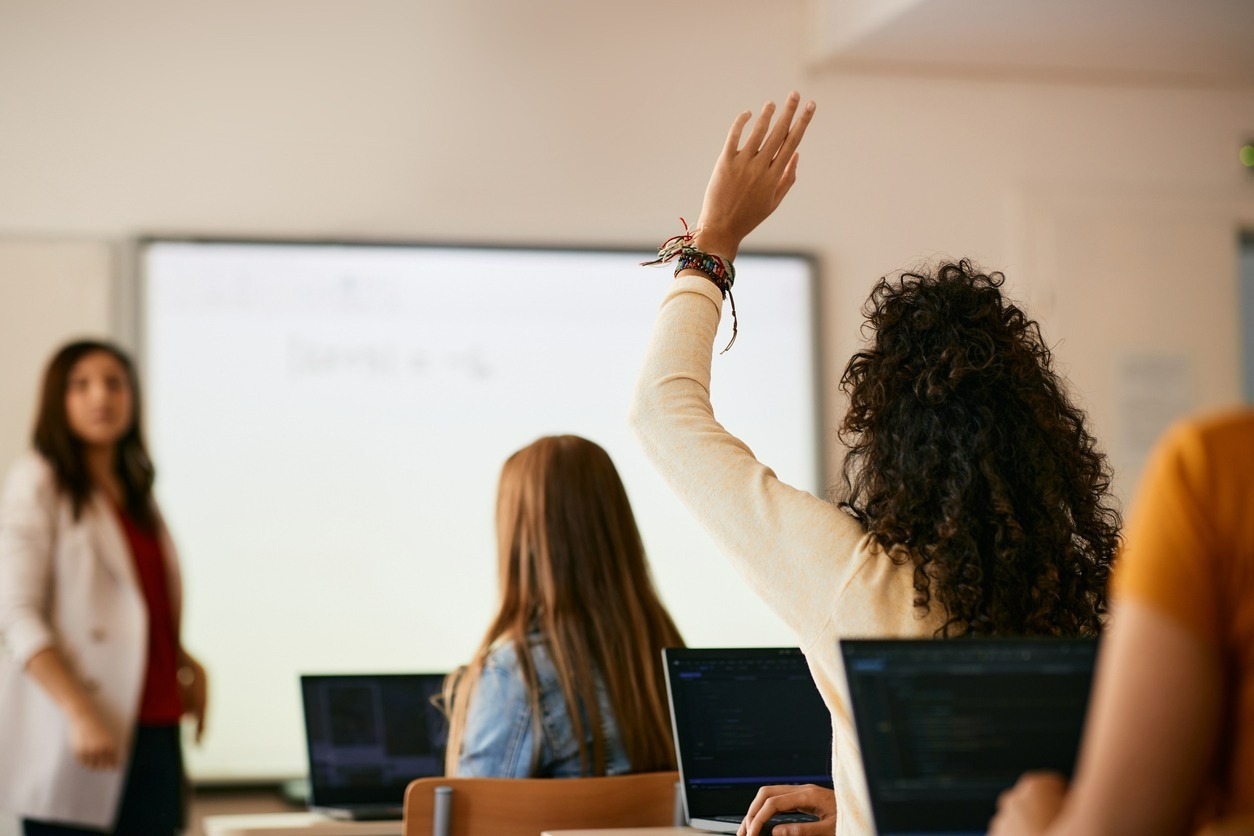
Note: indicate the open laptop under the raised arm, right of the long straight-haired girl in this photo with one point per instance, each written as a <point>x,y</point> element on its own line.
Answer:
<point>744,719</point>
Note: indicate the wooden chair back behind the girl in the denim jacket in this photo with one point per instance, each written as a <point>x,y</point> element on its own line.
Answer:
<point>529,807</point>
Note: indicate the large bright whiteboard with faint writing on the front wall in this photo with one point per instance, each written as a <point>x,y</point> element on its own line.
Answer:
<point>329,423</point>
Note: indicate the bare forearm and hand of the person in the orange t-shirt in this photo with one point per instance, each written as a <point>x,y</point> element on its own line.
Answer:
<point>1149,744</point>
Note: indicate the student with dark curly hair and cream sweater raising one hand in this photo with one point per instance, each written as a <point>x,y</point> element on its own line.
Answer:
<point>975,499</point>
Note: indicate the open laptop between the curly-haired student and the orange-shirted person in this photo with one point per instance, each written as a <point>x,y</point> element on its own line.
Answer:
<point>946,726</point>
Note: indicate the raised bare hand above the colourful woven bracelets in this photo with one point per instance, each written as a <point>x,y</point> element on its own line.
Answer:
<point>751,181</point>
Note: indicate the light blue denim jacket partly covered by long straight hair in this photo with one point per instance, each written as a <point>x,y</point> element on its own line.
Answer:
<point>500,735</point>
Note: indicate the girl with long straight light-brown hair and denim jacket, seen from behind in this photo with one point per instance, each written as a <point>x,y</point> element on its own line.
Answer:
<point>569,681</point>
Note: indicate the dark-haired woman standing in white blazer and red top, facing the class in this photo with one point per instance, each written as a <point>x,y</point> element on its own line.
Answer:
<point>93,676</point>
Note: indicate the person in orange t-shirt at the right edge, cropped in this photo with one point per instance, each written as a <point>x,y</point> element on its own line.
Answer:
<point>1169,741</point>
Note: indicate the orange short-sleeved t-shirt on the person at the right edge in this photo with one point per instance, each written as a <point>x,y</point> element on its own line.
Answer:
<point>1189,553</point>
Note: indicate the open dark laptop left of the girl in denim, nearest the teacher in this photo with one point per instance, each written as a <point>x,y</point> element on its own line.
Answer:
<point>368,738</point>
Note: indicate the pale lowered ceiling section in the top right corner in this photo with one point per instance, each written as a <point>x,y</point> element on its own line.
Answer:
<point>1204,43</point>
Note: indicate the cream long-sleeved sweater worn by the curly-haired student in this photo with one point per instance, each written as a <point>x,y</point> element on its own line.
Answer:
<point>809,561</point>
